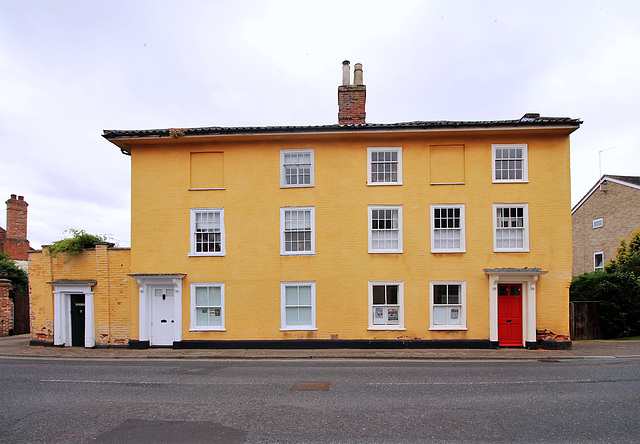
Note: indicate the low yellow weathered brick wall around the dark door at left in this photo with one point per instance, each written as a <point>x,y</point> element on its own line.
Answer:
<point>108,266</point>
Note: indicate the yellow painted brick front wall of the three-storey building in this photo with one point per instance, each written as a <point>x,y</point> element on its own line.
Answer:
<point>253,268</point>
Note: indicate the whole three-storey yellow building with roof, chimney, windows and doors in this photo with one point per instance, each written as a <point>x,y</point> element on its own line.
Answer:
<point>350,234</point>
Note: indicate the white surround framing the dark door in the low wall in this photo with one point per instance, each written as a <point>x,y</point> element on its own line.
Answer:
<point>62,291</point>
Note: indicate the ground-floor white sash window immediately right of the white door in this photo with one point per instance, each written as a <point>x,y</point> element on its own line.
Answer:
<point>207,306</point>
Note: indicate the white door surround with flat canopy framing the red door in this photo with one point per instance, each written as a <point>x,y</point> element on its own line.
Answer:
<point>528,277</point>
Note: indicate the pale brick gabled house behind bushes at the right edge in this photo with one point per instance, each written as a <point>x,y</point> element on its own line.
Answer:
<point>609,212</point>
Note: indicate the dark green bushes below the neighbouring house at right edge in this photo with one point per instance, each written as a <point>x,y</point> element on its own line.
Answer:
<point>617,288</point>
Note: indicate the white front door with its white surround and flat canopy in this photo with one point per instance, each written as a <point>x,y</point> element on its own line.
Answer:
<point>147,286</point>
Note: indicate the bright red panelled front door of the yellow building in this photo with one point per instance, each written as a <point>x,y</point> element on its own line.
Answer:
<point>510,315</point>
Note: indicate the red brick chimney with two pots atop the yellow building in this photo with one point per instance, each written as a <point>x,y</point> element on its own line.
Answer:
<point>351,98</point>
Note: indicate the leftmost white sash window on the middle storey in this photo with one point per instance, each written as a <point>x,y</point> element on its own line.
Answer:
<point>207,232</point>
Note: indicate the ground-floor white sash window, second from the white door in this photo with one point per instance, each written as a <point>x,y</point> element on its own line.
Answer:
<point>298,305</point>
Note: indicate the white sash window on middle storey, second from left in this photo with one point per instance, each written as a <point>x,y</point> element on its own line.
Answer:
<point>297,231</point>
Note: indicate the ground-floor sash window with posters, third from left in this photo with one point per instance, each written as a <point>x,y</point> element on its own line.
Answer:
<point>386,305</point>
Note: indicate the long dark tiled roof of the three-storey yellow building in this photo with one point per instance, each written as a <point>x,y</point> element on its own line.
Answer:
<point>528,120</point>
